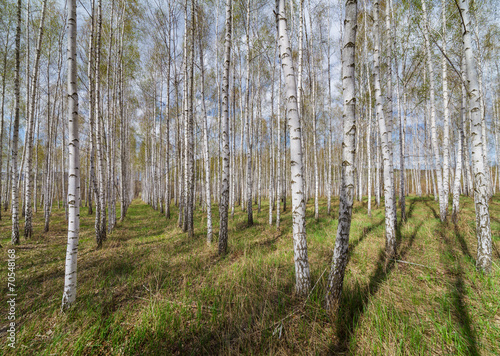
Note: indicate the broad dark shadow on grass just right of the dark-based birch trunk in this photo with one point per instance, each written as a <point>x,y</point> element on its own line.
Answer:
<point>354,301</point>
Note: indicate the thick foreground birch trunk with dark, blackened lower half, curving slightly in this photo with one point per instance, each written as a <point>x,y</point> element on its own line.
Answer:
<point>340,253</point>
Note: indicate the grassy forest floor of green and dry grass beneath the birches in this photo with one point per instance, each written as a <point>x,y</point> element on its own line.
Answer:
<point>151,290</point>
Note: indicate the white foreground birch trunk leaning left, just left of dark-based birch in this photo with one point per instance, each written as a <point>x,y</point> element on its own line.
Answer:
<point>302,274</point>
